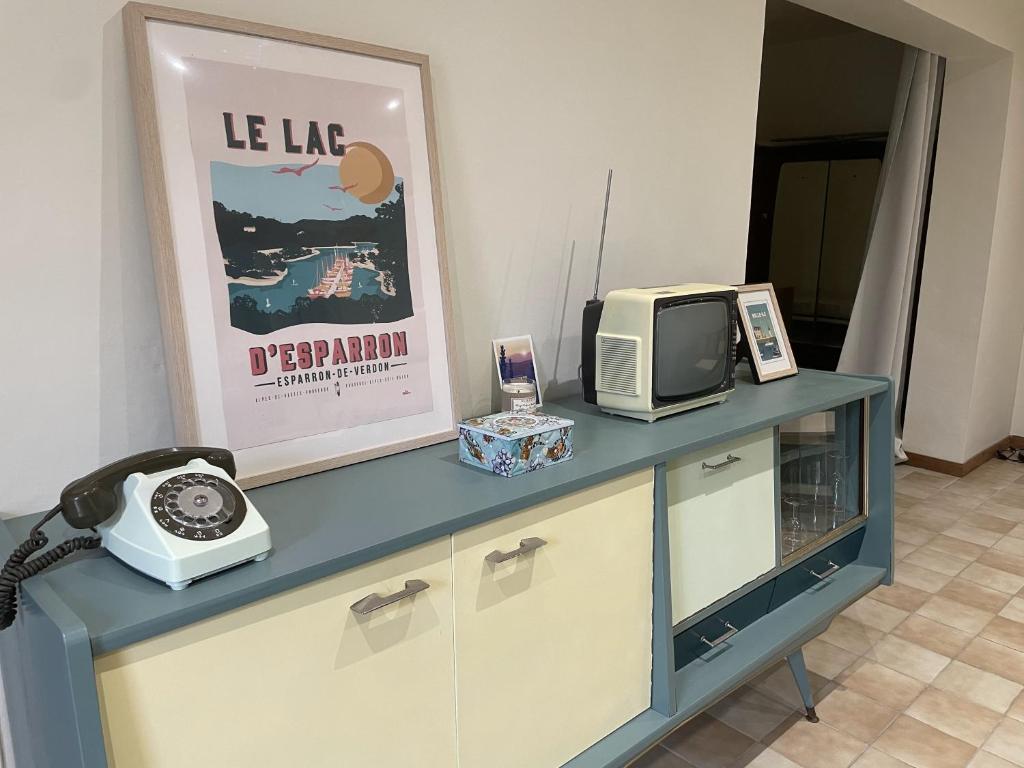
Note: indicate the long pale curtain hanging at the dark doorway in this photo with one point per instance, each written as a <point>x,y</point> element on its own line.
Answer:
<point>877,339</point>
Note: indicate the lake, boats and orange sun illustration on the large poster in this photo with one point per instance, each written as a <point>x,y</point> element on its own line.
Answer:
<point>314,242</point>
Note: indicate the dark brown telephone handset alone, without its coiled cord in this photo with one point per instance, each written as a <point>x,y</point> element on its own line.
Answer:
<point>91,500</point>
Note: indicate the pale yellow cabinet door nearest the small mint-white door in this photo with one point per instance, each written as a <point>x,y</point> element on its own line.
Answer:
<point>553,647</point>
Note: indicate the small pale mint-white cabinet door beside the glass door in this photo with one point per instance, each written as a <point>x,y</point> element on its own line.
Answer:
<point>721,521</point>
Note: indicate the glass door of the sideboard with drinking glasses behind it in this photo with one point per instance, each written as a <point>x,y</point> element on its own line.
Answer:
<point>821,477</point>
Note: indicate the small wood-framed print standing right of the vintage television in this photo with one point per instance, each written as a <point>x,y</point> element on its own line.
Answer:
<point>770,351</point>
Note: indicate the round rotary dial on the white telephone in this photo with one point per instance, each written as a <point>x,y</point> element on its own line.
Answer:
<point>198,506</point>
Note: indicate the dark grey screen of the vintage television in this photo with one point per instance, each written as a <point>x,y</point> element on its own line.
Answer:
<point>692,349</point>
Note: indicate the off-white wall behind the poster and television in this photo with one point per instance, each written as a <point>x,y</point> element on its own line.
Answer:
<point>535,101</point>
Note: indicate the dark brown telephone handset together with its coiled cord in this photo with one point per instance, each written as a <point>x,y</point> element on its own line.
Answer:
<point>86,504</point>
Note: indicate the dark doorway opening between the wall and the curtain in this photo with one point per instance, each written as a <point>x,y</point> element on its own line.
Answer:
<point>826,104</point>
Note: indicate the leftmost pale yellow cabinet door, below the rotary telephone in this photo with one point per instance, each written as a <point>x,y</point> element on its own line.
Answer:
<point>296,680</point>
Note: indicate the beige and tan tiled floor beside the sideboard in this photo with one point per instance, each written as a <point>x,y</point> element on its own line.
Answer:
<point>927,673</point>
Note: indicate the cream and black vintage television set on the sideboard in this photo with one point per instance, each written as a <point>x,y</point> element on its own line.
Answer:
<point>650,353</point>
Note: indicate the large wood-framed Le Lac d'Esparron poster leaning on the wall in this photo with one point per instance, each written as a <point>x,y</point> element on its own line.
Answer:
<point>292,192</point>
